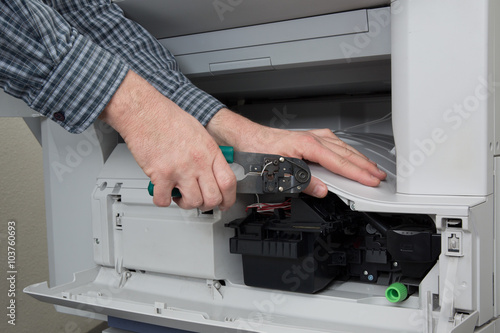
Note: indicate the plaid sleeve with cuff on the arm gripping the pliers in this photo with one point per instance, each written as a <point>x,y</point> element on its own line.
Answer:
<point>51,66</point>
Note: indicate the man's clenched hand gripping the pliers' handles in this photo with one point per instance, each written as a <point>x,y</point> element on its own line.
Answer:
<point>171,146</point>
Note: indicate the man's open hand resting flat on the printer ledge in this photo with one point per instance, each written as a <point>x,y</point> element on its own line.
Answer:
<point>319,146</point>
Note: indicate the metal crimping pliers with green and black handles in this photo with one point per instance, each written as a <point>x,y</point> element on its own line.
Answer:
<point>263,173</point>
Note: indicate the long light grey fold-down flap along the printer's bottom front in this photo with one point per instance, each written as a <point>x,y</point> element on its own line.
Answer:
<point>192,304</point>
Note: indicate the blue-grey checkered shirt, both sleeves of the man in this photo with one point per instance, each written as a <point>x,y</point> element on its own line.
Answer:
<point>66,58</point>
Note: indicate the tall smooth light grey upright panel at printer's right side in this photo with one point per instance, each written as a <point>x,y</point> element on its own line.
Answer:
<point>443,95</point>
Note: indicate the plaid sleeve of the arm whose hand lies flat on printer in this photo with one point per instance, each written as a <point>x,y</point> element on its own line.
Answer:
<point>105,24</point>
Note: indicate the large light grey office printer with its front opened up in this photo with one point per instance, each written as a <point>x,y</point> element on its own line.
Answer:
<point>412,84</point>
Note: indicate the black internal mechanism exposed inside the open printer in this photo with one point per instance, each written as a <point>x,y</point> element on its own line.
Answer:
<point>305,243</point>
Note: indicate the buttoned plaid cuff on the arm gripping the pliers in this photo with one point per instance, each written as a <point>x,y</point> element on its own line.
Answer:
<point>80,86</point>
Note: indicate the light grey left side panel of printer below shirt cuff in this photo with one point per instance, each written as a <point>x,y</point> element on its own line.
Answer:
<point>71,165</point>
